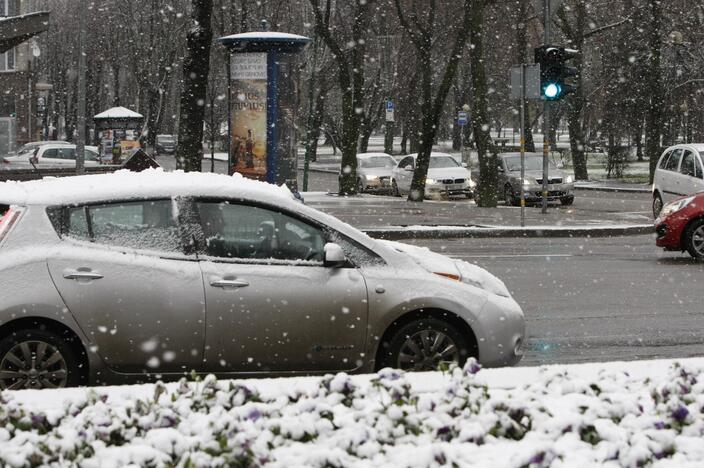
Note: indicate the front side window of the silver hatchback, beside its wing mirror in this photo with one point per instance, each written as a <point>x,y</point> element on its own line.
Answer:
<point>247,232</point>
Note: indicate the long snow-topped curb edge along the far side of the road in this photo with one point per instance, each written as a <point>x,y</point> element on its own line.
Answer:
<point>454,232</point>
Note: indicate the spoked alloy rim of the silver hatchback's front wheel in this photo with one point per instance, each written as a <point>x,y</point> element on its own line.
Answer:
<point>427,350</point>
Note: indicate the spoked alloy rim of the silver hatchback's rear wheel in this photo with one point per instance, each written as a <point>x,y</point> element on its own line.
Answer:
<point>33,365</point>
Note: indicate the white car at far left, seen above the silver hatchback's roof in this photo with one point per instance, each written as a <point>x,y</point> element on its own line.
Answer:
<point>52,157</point>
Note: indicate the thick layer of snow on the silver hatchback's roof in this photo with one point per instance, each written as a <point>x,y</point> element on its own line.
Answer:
<point>152,183</point>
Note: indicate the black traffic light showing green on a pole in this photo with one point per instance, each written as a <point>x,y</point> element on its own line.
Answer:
<point>554,71</point>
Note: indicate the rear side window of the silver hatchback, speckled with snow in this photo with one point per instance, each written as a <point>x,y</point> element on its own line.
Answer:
<point>146,225</point>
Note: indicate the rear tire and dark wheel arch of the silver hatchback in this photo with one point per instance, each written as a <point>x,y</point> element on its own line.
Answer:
<point>58,366</point>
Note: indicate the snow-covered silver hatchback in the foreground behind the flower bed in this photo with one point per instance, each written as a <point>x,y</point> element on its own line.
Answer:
<point>127,276</point>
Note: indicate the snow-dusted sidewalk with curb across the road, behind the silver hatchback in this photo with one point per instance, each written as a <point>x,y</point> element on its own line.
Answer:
<point>397,218</point>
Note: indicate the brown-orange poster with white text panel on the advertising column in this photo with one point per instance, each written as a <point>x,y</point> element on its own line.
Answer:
<point>249,93</point>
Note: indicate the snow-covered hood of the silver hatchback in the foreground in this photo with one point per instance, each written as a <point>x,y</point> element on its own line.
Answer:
<point>448,267</point>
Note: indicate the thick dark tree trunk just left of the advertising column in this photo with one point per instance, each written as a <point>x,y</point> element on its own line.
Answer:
<point>189,152</point>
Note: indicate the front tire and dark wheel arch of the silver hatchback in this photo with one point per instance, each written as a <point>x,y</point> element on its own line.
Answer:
<point>404,349</point>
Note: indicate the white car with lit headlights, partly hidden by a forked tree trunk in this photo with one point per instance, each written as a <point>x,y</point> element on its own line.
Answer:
<point>445,176</point>
